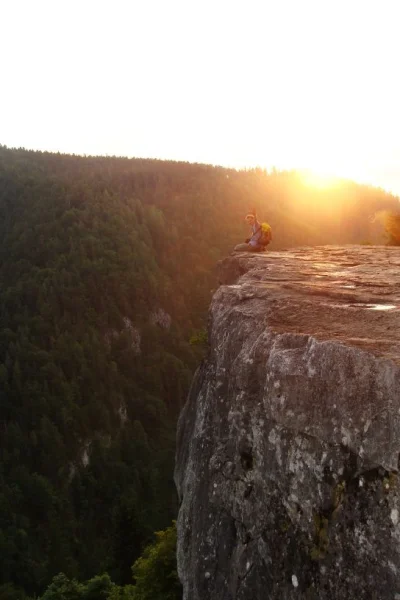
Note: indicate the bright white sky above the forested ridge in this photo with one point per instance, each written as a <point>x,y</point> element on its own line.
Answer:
<point>286,83</point>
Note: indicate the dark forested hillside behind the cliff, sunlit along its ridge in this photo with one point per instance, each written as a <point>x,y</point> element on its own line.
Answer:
<point>106,271</point>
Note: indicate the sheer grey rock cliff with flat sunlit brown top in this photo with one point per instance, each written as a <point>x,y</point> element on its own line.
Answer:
<point>288,446</point>
